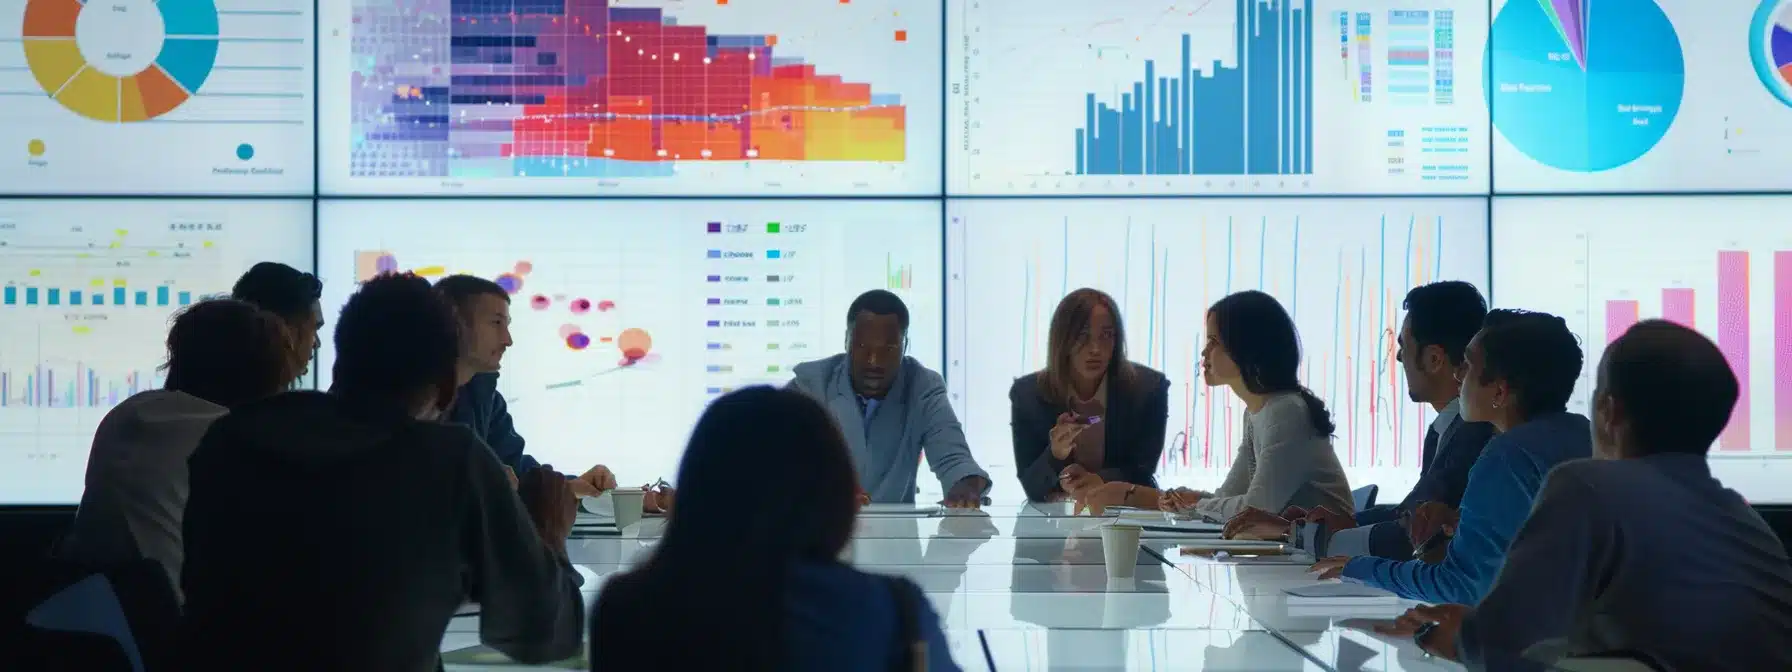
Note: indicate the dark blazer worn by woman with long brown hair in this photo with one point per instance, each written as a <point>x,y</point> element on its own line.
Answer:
<point>1135,424</point>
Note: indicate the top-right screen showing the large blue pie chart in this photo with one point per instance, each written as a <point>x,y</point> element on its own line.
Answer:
<point>1612,96</point>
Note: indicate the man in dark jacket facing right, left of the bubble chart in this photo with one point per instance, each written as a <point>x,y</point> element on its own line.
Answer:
<point>485,311</point>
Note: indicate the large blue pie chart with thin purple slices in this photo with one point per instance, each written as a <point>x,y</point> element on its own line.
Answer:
<point>1585,85</point>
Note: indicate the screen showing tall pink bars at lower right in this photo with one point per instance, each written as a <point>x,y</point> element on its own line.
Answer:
<point>1716,264</point>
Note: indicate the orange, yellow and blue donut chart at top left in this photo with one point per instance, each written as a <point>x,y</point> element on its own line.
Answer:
<point>121,60</point>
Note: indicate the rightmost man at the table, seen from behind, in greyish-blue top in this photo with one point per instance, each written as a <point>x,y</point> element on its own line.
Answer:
<point>1639,553</point>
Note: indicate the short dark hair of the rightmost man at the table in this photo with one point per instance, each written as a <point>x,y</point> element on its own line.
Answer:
<point>1675,384</point>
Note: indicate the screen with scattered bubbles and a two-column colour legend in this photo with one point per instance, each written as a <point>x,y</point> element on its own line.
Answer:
<point>630,316</point>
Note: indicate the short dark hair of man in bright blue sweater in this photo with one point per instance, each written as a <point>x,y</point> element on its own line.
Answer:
<point>1535,354</point>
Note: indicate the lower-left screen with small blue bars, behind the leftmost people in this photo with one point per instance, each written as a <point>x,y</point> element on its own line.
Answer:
<point>87,289</point>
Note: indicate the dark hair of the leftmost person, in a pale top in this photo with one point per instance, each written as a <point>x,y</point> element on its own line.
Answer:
<point>228,352</point>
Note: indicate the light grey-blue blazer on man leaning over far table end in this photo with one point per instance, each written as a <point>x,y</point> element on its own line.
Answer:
<point>911,422</point>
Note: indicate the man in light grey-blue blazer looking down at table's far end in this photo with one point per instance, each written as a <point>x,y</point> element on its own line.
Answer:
<point>892,408</point>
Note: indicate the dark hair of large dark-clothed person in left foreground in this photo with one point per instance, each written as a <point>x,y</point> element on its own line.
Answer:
<point>395,336</point>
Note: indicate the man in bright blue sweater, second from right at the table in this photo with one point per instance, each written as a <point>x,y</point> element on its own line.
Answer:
<point>1519,374</point>
